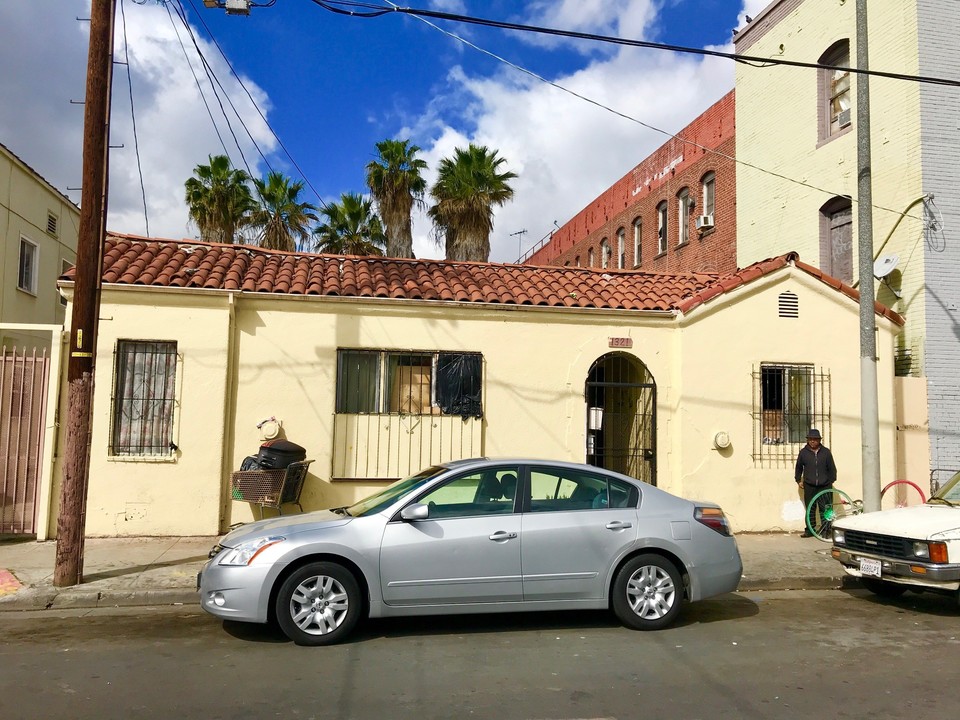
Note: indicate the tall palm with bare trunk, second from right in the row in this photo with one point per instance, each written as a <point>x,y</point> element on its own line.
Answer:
<point>396,181</point>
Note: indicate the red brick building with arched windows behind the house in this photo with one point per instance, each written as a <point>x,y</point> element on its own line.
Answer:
<point>674,212</point>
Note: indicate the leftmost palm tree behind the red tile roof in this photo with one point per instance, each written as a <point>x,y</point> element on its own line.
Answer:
<point>219,199</point>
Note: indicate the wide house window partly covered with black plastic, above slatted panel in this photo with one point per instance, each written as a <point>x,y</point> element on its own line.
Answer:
<point>379,382</point>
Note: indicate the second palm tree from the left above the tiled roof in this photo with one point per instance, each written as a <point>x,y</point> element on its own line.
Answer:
<point>281,220</point>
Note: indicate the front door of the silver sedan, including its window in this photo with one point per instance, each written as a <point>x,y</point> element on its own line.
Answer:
<point>467,551</point>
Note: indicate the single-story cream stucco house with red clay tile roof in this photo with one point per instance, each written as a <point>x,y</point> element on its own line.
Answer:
<point>702,384</point>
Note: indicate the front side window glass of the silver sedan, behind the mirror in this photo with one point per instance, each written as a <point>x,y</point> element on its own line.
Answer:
<point>487,492</point>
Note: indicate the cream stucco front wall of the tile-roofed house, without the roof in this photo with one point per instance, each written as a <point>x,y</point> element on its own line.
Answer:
<point>247,357</point>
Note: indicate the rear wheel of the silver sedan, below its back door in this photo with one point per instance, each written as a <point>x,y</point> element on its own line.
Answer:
<point>647,593</point>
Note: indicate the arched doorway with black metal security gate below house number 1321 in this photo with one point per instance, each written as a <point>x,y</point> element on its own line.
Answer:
<point>621,417</point>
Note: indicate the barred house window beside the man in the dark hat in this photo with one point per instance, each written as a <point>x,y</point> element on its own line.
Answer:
<point>788,401</point>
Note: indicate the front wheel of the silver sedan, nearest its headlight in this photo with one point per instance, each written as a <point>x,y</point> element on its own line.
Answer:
<point>319,604</point>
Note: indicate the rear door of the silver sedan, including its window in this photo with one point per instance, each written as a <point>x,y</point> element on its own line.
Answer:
<point>571,534</point>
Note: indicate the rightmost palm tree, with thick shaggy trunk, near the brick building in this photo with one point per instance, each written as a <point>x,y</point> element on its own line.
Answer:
<point>468,187</point>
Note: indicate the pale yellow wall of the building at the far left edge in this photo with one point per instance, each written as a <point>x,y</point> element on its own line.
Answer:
<point>25,201</point>
